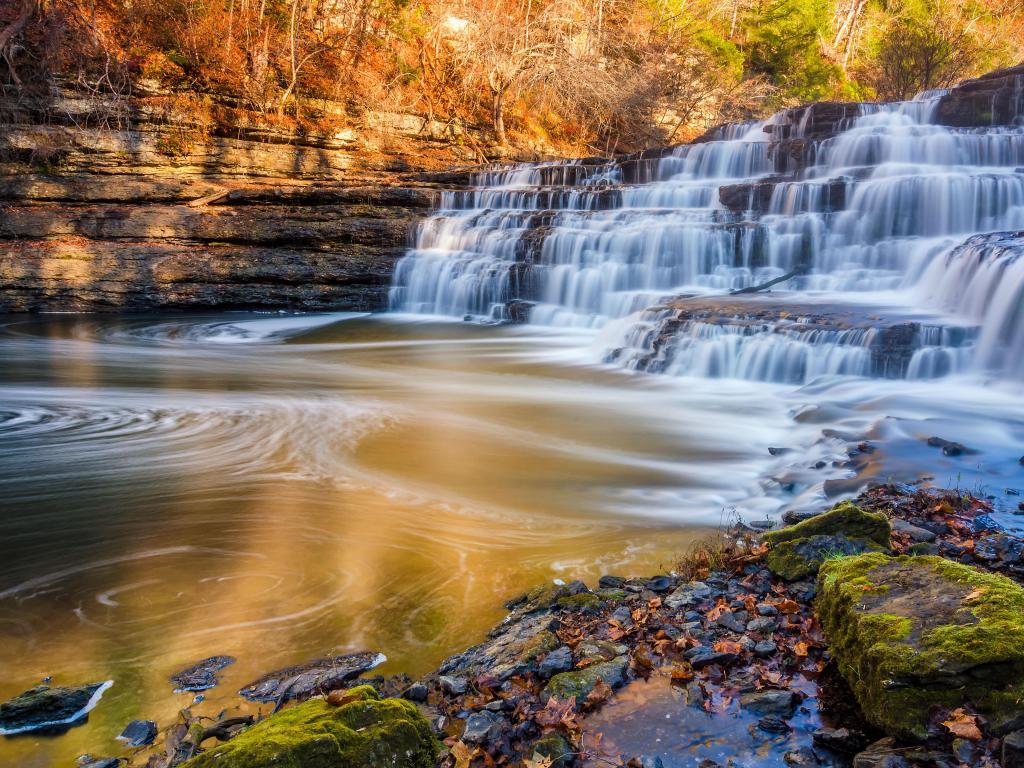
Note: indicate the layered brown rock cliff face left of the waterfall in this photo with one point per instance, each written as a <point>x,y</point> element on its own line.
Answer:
<point>158,215</point>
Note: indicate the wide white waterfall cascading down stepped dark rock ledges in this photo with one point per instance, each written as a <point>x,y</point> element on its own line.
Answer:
<point>873,206</point>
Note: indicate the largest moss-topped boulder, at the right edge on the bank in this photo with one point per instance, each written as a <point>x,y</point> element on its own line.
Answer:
<point>910,633</point>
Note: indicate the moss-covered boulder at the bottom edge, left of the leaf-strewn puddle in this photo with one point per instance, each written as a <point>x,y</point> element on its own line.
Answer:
<point>365,733</point>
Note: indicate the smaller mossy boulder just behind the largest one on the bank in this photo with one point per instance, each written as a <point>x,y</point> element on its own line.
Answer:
<point>798,551</point>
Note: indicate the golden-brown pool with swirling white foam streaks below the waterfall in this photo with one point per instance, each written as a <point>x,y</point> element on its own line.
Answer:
<point>166,500</point>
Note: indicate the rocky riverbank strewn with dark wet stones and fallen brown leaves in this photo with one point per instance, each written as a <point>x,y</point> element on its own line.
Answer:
<point>724,661</point>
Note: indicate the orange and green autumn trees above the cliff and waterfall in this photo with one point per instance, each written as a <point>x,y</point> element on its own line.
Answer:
<point>590,74</point>
